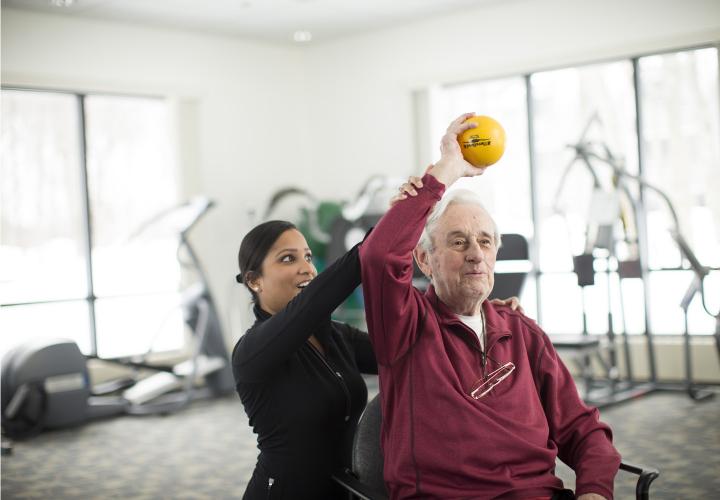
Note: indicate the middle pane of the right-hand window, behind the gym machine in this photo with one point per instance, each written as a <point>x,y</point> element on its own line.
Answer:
<point>589,106</point>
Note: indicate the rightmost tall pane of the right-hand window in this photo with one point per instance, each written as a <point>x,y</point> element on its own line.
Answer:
<point>681,127</point>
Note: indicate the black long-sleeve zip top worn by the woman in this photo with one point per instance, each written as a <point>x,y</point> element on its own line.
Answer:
<point>304,405</point>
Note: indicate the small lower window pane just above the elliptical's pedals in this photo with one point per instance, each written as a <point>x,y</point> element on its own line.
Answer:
<point>136,325</point>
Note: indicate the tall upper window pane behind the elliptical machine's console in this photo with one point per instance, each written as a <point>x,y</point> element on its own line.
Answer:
<point>132,177</point>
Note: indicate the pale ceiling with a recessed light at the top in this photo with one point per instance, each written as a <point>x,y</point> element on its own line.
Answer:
<point>280,21</point>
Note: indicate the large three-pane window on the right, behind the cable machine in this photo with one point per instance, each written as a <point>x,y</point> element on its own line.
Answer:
<point>585,112</point>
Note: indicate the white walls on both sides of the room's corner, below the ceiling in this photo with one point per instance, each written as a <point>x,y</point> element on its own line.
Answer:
<point>256,117</point>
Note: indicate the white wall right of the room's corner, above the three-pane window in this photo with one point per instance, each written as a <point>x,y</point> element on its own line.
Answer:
<point>367,81</point>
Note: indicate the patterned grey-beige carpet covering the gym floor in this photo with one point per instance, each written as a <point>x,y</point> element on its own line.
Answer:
<point>207,451</point>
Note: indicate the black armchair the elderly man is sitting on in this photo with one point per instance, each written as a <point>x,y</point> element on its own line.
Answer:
<point>365,480</point>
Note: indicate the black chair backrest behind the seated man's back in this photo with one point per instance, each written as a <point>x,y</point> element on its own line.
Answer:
<point>367,457</point>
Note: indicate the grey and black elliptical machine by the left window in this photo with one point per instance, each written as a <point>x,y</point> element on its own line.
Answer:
<point>46,383</point>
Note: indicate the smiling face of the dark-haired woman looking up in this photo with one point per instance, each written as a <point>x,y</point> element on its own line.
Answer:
<point>286,270</point>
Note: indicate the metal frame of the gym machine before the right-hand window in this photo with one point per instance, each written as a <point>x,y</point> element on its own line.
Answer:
<point>615,390</point>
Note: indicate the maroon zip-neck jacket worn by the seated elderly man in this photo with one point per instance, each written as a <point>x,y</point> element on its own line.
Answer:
<point>438,441</point>
